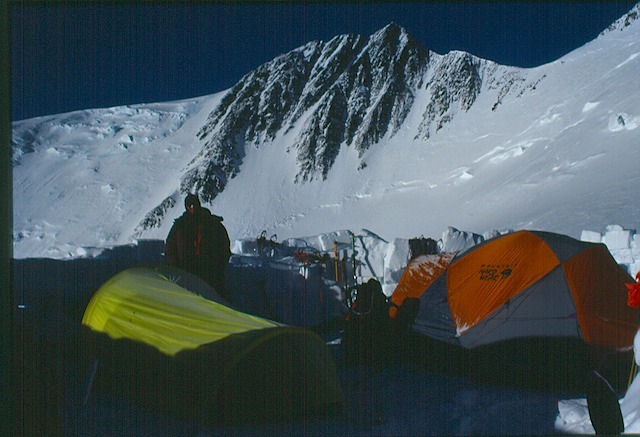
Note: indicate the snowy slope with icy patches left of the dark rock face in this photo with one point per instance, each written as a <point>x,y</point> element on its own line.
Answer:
<point>85,179</point>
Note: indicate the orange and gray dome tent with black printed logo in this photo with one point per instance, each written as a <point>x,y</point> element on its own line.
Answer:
<point>527,284</point>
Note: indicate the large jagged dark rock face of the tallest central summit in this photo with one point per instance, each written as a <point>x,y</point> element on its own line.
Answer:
<point>345,92</point>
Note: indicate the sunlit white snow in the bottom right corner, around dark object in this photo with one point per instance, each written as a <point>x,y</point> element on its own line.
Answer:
<point>573,414</point>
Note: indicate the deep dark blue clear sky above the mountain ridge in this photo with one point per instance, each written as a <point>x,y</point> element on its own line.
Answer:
<point>67,57</point>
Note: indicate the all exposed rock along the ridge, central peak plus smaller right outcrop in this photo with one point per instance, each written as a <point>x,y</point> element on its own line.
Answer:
<point>348,92</point>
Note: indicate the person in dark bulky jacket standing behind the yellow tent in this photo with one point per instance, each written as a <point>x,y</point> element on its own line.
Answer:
<point>199,243</point>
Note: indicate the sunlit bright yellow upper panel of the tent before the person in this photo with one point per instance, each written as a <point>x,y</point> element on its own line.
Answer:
<point>150,306</point>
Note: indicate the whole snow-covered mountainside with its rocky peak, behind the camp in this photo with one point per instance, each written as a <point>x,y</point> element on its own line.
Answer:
<point>355,133</point>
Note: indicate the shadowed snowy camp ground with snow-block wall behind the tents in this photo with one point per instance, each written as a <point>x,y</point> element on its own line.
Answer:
<point>440,392</point>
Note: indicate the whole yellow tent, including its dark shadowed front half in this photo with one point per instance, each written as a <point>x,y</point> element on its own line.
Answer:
<point>159,342</point>
